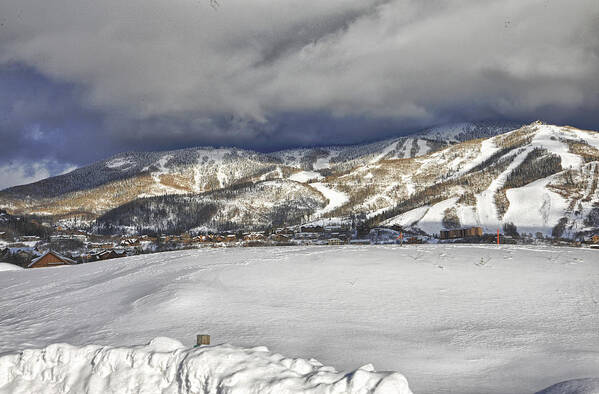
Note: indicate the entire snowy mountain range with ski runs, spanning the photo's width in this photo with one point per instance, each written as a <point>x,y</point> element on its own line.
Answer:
<point>540,178</point>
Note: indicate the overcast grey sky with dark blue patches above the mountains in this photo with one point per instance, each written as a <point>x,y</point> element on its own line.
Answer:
<point>84,79</point>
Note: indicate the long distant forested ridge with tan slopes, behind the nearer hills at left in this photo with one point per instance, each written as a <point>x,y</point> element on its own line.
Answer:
<point>92,190</point>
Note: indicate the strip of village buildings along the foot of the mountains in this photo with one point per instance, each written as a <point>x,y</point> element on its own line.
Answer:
<point>67,247</point>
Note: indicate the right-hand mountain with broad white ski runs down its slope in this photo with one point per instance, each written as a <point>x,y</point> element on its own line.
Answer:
<point>540,178</point>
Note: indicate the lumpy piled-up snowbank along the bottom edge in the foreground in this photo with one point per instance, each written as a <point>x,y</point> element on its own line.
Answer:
<point>166,366</point>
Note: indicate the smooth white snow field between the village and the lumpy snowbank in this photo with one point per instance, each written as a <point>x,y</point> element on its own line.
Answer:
<point>451,318</point>
